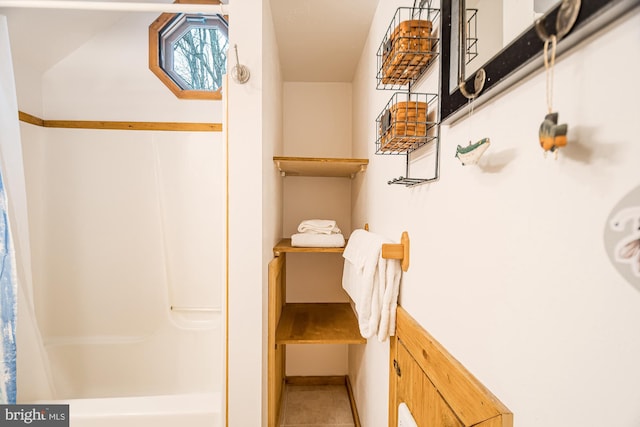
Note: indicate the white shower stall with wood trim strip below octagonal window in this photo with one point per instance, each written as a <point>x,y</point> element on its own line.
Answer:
<point>120,242</point>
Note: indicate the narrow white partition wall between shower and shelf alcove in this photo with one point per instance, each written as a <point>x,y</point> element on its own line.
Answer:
<point>255,197</point>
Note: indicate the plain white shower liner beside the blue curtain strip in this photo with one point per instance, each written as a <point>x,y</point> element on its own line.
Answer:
<point>33,377</point>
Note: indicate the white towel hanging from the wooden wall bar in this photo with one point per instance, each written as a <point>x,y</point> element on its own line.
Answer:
<point>372,282</point>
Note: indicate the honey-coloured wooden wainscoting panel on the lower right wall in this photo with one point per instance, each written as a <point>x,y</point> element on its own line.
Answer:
<point>438,390</point>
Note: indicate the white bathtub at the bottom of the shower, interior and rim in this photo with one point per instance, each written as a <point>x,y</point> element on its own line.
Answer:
<point>168,379</point>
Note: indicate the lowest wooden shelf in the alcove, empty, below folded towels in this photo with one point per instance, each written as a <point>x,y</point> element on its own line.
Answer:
<point>318,323</point>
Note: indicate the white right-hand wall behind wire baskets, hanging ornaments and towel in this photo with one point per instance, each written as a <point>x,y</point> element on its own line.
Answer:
<point>508,266</point>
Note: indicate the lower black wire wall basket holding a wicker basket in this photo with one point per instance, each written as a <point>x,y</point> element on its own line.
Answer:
<point>407,122</point>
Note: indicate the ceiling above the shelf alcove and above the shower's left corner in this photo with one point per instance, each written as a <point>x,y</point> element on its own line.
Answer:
<point>318,40</point>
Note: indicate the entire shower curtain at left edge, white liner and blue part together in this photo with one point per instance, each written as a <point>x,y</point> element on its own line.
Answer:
<point>25,345</point>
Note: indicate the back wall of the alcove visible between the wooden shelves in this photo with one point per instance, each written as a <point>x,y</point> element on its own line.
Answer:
<point>316,123</point>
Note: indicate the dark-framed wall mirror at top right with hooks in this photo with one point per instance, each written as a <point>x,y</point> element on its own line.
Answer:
<point>487,45</point>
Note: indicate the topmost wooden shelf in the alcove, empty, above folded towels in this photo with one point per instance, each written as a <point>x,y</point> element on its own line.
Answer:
<point>320,166</point>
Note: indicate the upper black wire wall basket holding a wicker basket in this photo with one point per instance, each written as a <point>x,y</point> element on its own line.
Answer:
<point>409,47</point>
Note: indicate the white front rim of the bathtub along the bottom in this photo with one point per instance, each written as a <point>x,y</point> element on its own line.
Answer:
<point>192,410</point>
